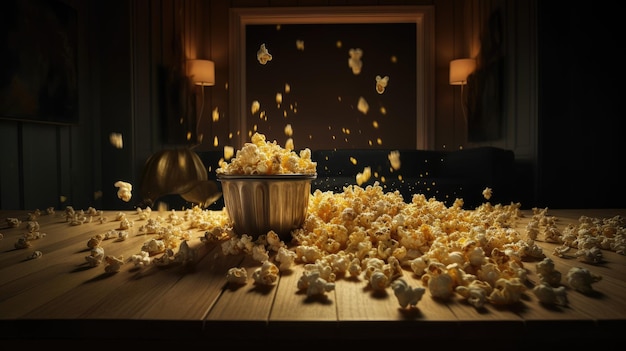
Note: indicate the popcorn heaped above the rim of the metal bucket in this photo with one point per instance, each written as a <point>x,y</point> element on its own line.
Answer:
<point>261,157</point>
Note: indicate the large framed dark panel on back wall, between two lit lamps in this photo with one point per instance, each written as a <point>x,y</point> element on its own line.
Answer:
<point>310,85</point>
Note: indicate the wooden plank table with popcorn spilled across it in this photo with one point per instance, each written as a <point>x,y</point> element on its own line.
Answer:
<point>58,297</point>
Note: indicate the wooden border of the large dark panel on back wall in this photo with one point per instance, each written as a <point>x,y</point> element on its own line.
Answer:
<point>421,16</point>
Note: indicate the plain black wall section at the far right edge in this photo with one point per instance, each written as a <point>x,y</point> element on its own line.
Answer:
<point>581,109</point>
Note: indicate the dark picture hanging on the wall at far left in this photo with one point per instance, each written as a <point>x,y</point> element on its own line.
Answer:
<point>38,64</point>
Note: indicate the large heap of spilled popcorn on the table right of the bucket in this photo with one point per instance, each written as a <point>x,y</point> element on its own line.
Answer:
<point>478,254</point>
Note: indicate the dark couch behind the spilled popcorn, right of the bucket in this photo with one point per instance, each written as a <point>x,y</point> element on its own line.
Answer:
<point>444,175</point>
